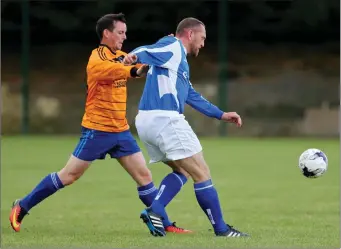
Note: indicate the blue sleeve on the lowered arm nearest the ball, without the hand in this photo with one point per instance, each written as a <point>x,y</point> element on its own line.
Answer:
<point>199,103</point>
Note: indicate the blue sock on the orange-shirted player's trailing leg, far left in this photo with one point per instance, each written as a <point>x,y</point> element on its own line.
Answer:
<point>48,186</point>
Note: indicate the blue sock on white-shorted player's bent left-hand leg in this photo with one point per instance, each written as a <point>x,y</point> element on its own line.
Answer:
<point>169,188</point>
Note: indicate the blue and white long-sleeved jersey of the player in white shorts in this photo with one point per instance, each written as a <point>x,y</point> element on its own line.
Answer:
<point>167,83</point>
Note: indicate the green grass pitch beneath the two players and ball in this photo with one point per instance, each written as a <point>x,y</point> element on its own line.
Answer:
<point>261,191</point>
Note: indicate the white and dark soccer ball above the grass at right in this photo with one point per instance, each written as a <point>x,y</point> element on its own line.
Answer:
<point>313,163</point>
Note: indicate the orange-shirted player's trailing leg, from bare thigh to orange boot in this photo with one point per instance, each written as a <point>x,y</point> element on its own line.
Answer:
<point>72,171</point>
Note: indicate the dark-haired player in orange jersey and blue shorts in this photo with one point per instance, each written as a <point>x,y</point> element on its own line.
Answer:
<point>105,129</point>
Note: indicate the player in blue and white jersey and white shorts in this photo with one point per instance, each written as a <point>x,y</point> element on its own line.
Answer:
<point>164,130</point>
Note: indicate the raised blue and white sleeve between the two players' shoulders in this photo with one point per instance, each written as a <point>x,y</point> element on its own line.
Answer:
<point>157,54</point>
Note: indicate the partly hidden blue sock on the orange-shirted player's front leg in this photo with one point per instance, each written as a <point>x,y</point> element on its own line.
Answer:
<point>147,195</point>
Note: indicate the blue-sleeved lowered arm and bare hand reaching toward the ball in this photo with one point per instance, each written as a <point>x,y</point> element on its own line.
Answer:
<point>199,103</point>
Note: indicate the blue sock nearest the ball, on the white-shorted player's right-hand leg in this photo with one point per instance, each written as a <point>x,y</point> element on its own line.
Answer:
<point>208,200</point>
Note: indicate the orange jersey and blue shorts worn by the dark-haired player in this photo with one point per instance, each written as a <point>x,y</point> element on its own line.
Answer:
<point>105,129</point>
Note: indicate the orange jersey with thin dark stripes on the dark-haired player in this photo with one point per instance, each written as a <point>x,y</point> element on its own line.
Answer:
<point>105,108</point>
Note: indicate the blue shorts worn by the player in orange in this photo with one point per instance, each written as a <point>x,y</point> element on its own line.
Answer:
<point>94,144</point>
